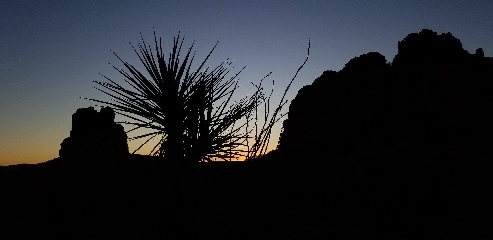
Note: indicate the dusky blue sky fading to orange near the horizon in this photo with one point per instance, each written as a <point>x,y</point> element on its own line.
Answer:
<point>52,51</point>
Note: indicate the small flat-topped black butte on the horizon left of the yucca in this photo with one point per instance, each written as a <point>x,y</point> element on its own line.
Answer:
<point>94,134</point>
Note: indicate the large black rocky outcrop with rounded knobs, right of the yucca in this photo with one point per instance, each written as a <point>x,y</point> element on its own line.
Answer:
<point>432,101</point>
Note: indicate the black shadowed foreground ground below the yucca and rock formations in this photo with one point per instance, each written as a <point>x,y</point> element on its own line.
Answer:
<point>131,198</point>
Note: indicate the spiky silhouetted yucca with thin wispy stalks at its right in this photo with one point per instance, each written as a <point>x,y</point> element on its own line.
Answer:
<point>190,113</point>
